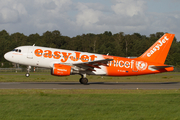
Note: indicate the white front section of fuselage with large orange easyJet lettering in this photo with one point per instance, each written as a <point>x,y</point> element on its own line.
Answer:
<point>46,57</point>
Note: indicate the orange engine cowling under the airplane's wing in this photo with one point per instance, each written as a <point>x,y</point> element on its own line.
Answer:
<point>61,70</point>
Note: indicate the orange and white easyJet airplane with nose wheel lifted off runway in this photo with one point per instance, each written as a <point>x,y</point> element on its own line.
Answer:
<point>67,62</point>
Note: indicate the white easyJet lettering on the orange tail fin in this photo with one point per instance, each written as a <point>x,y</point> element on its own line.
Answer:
<point>157,46</point>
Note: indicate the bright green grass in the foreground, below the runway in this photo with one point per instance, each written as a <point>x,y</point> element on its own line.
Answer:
<point>90,104</point>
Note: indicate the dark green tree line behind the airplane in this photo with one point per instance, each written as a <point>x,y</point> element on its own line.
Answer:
<point>119,44</point>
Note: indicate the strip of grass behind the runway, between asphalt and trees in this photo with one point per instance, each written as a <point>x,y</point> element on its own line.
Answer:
<point>46,77</point>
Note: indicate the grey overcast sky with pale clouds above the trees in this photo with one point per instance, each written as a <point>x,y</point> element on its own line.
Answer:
<point>77,17</point>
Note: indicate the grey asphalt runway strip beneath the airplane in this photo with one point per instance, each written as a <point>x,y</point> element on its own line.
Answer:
<point>91,85</point>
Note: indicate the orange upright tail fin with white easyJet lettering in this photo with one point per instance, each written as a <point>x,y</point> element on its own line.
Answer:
<point>158,51</point>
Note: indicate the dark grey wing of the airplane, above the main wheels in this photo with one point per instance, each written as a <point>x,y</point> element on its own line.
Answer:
<point>93,64</point>
